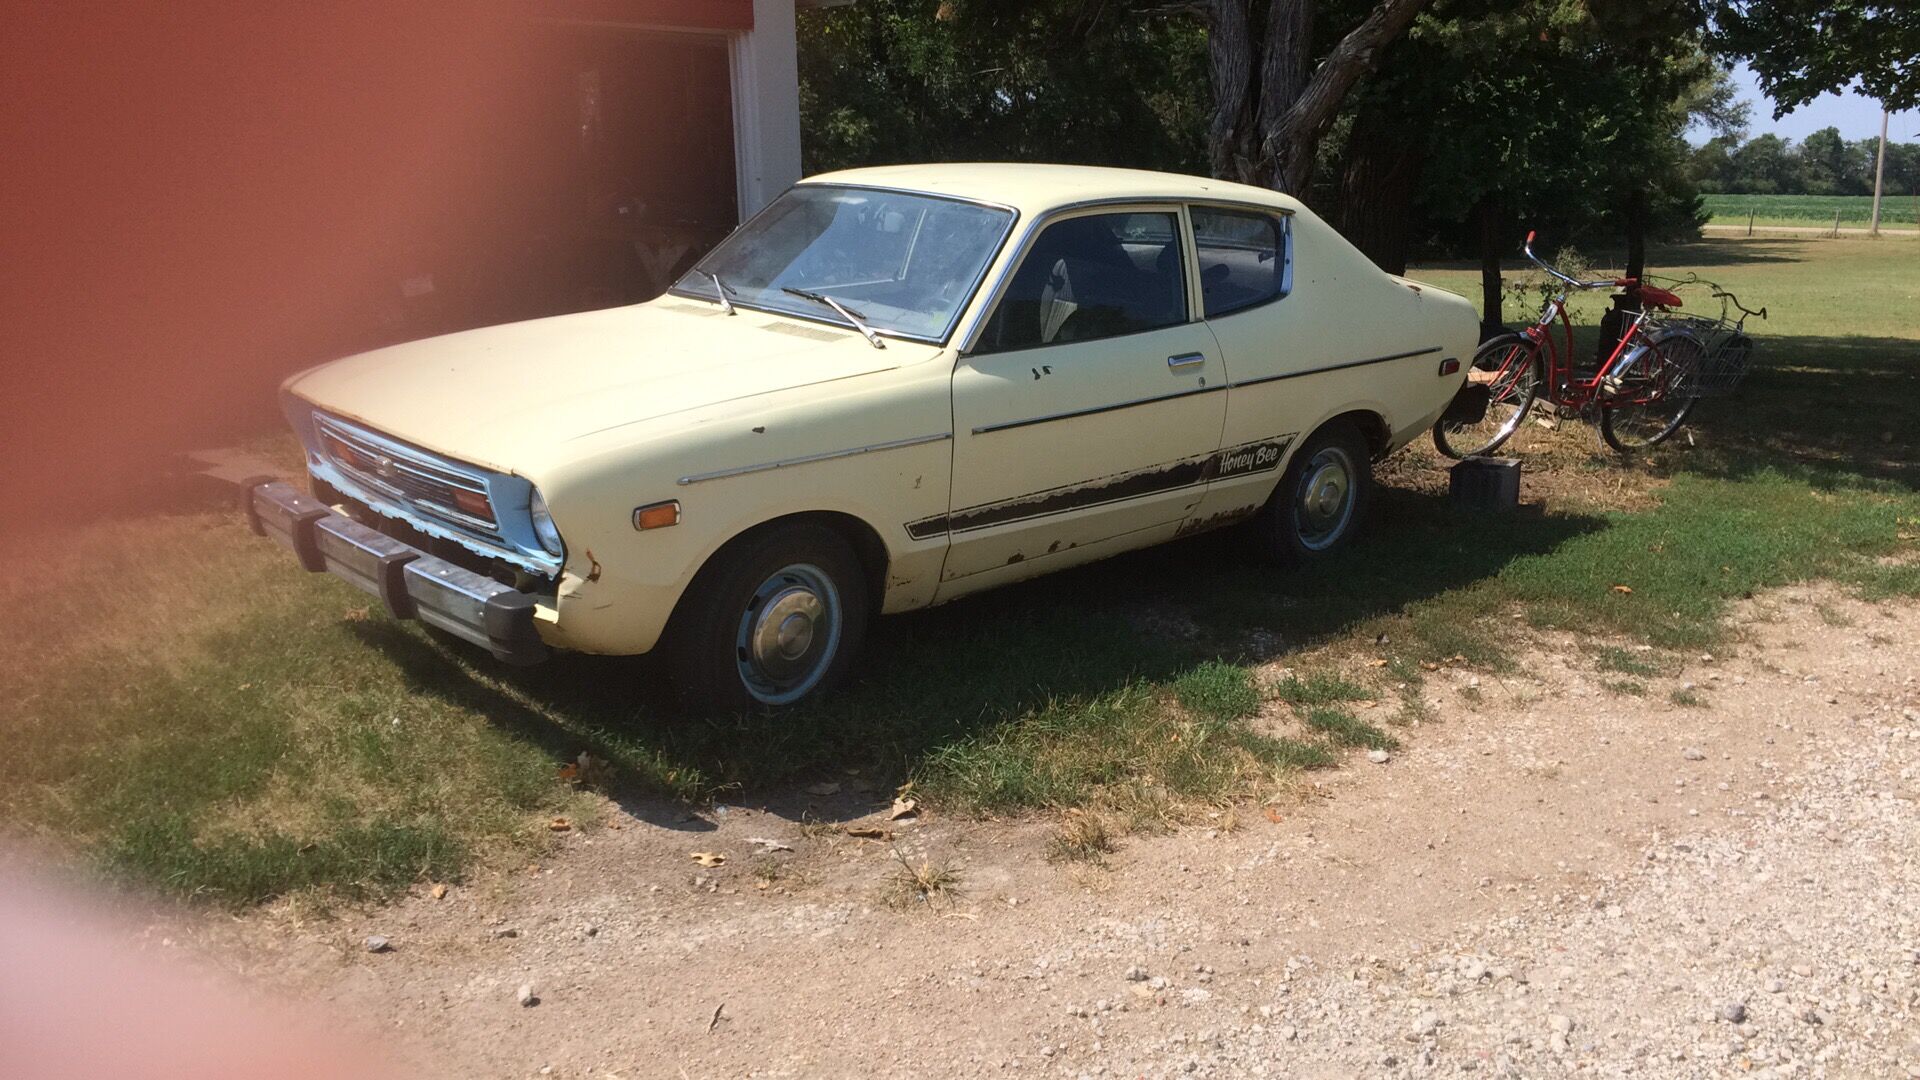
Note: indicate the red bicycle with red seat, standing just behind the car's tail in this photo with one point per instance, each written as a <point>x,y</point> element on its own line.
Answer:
<point>1641,391</point>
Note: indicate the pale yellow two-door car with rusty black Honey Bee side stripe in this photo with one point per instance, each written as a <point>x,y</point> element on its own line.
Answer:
<point>890,389</point>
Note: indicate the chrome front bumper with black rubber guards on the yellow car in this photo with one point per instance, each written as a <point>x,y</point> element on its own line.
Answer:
<point>408,581</point>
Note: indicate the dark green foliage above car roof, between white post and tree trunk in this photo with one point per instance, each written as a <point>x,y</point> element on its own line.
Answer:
<point>890,82</point>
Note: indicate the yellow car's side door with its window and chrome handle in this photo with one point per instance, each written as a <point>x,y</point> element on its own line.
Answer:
<point>1092,401</point>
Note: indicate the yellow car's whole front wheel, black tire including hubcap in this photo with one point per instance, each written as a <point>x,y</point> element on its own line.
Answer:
<point>773,620</point>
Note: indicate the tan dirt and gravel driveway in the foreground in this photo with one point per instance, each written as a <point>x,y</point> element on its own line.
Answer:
<point>1548,879</point>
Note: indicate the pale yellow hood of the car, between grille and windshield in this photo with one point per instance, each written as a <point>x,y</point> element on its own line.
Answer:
<point>504,397</point>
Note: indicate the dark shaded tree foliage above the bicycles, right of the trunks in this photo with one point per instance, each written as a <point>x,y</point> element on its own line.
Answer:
<point>1520,114</point>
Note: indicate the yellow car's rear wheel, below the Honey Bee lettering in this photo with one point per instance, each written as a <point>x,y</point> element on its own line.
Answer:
<point>1322,499</point>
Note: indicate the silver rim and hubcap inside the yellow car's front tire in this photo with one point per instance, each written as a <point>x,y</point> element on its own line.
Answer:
<point>788,635</point>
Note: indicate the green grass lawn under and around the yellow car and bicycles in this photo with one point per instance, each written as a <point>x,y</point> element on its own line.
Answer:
<point>191,712</point>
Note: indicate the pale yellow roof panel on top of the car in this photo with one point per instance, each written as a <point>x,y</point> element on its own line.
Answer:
<point>1038,189</point>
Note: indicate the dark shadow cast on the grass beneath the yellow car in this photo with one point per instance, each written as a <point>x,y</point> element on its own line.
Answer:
<point>938,677</point>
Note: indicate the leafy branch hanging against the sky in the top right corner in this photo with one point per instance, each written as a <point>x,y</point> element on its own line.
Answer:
<point>1804,49</point>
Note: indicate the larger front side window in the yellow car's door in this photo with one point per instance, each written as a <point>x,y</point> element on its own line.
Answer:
<point>1093,278</point>
